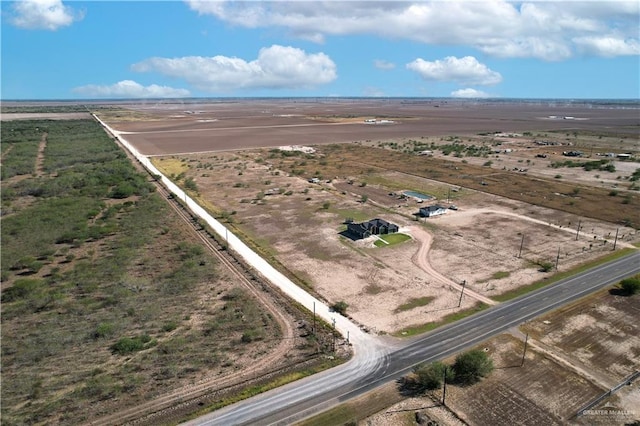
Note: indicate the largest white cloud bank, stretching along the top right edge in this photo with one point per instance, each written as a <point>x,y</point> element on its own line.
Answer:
<point>547,30</point>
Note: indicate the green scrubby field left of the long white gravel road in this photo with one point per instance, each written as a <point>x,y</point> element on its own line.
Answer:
<point>109,299</point>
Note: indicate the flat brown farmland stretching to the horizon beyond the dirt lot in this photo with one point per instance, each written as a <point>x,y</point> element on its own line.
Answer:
<point>161,129</point>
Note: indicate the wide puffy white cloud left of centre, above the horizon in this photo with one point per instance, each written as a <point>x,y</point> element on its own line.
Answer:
<point>277,67</point>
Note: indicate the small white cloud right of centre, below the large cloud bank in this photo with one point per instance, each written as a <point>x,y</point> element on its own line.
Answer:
<point>465,70</point>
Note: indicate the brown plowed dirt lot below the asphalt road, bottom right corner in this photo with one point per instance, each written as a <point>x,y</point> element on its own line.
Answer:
<point>574,355</point>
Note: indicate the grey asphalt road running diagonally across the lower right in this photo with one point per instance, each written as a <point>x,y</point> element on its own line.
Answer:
<point>317,393</point>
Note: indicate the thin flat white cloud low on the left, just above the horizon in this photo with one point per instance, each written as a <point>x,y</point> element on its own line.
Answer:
<point>130,89</point>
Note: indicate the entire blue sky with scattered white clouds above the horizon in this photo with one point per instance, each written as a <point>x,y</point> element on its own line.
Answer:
<point>119,49</point>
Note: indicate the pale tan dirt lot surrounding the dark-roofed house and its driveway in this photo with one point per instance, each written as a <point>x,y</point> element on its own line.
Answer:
<point>474,243</point>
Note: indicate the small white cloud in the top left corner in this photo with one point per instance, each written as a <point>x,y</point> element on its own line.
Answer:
<point>43,15</point>
